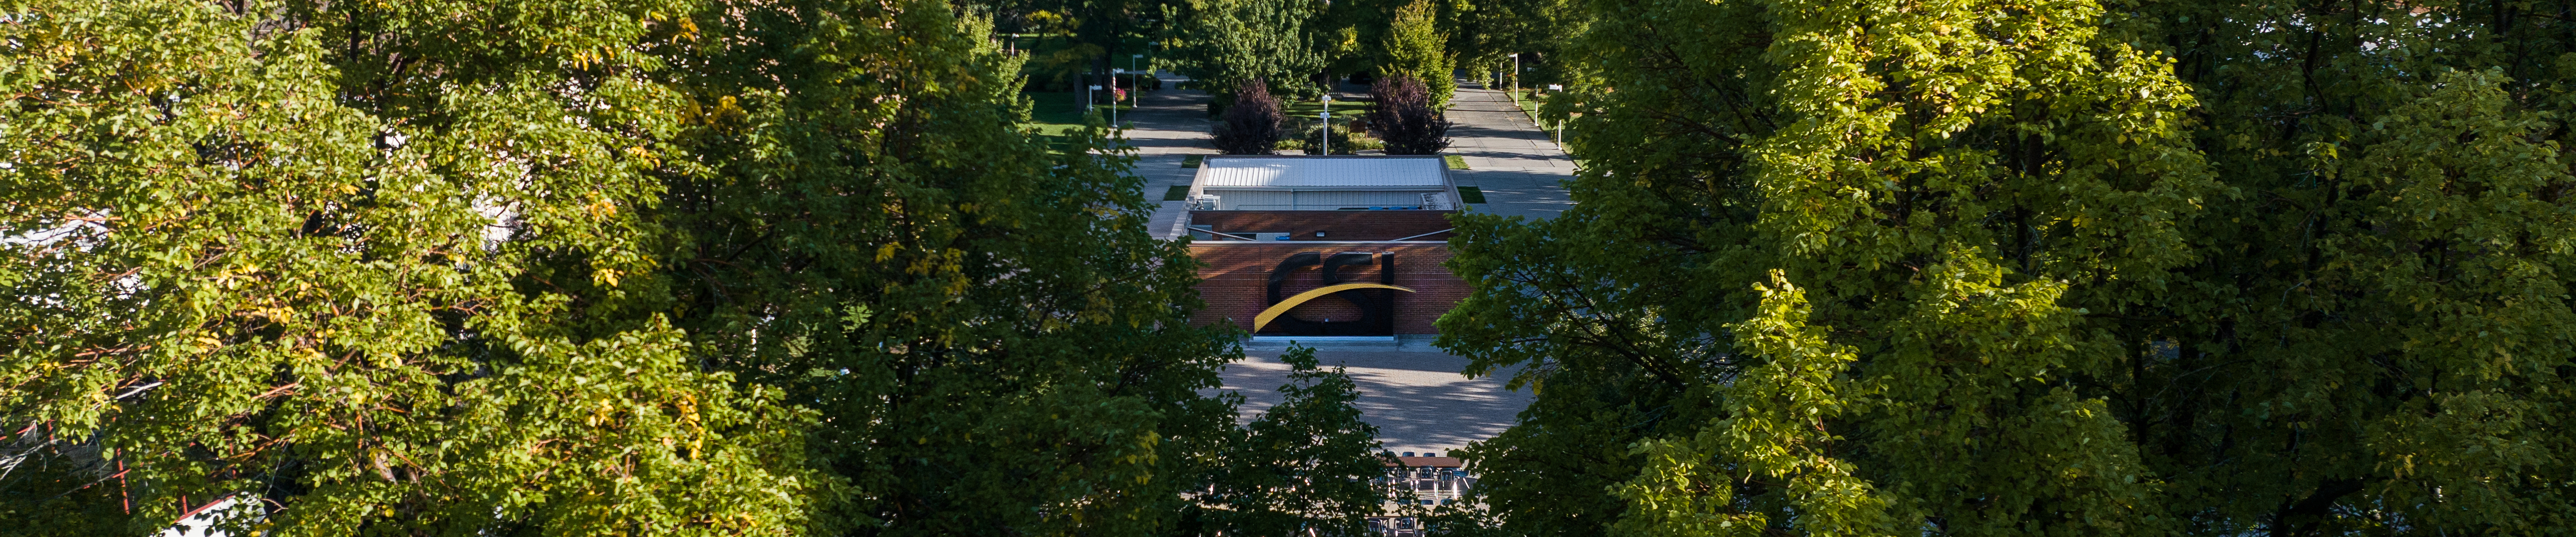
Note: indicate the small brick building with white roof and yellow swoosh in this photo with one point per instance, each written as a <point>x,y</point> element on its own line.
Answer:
<point>1274,234</point>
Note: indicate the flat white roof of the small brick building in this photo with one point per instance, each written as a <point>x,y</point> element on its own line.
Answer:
<point>1323,172</point>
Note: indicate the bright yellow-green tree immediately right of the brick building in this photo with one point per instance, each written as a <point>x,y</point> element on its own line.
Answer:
<point>1861,257</point>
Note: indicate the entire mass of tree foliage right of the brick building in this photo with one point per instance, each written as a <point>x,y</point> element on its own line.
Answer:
<point>2041,270</point>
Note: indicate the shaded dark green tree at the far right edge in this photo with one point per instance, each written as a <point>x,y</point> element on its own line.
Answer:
<point>2400,244</point>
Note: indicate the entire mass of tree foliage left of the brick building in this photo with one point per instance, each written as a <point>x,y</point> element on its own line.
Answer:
<point>648,267</point>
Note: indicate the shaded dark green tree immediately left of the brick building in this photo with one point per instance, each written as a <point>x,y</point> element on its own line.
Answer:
<point>993,337</point>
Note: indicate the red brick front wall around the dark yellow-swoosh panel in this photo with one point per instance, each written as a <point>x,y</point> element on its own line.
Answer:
<point>1235,280</point>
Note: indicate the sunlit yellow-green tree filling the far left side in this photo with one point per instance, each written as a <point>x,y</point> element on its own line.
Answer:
<point>349,267</point>
